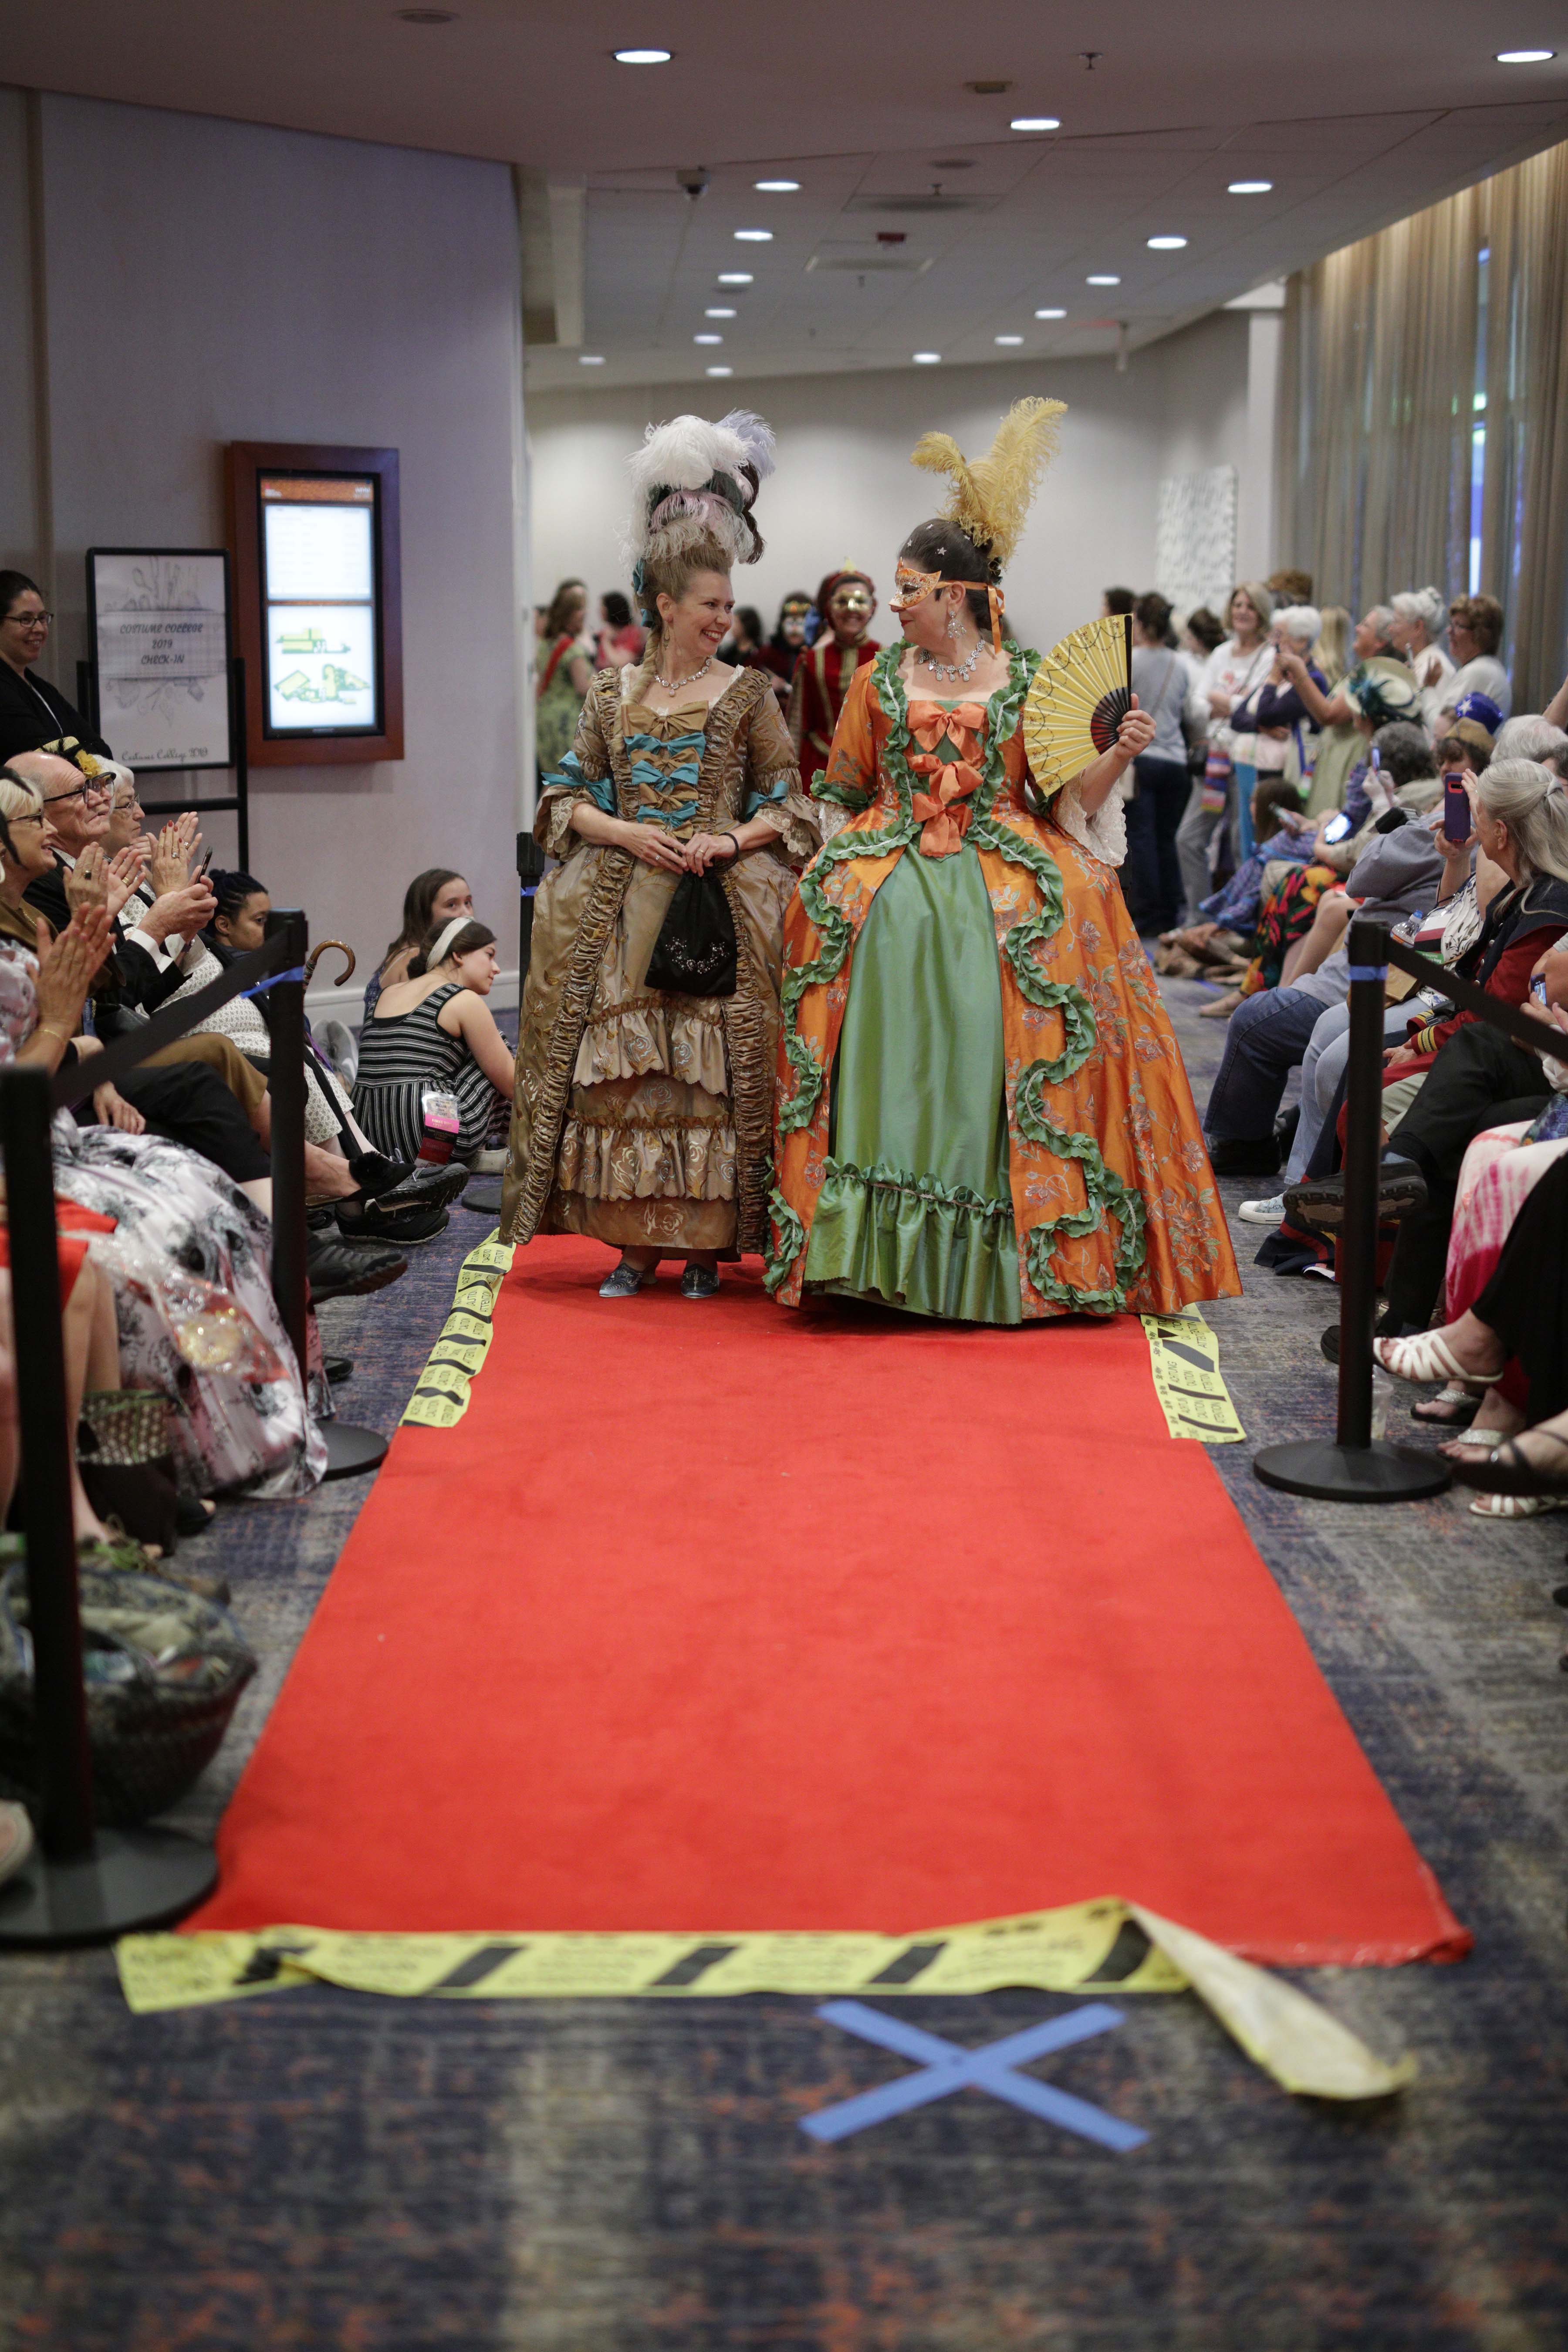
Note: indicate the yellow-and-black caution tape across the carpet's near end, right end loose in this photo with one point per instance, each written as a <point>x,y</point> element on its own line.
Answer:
<point>1104,1946</point>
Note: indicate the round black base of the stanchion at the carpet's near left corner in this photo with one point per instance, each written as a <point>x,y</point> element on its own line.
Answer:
<point>130,1880</point>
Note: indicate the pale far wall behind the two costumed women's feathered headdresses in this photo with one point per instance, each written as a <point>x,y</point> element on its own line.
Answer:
<point>845,486</point>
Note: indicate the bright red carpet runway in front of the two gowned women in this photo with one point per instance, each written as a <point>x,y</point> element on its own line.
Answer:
<point>723,1617</point>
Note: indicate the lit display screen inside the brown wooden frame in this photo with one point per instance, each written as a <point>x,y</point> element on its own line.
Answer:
<point>319,599</point>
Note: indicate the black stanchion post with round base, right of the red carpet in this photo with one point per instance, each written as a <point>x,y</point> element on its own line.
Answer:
<point>1358,1469</point>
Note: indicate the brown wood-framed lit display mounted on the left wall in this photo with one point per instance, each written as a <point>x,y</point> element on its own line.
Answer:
<point>319,601</point>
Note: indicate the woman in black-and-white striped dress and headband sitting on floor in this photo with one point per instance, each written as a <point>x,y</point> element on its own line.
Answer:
<point>434,1034</point>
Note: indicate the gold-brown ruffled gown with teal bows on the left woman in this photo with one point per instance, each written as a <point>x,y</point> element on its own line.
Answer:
<point>641,1116</point>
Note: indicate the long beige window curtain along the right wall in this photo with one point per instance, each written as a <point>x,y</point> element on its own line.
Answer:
<point>1395,352</point>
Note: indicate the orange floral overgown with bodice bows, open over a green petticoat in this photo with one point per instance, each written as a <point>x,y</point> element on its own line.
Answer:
<point>1111,1203</point>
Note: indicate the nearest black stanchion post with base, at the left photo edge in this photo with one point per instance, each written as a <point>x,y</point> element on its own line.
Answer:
<point>83,1885</point>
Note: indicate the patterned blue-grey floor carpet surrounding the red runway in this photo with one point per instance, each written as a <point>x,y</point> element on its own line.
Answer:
<point>321,2170</point>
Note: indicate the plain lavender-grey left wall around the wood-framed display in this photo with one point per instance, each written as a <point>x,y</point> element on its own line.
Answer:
<point>215,281</point>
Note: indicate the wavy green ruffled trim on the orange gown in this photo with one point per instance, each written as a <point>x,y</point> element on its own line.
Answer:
<point>798,1109</point>
